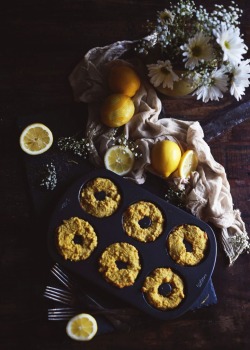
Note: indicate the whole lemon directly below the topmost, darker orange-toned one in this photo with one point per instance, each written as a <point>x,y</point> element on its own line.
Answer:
<point>117,110</point>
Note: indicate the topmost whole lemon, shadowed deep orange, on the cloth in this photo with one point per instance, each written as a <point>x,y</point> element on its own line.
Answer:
<point>123,79</point>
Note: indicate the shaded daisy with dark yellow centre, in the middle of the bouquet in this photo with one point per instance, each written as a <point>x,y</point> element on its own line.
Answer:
<point>197,49</point>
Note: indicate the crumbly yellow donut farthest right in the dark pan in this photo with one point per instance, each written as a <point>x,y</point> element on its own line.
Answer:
<point>177,249</point>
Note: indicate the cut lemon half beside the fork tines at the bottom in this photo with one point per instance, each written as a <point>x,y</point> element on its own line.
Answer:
<point>82,327</point>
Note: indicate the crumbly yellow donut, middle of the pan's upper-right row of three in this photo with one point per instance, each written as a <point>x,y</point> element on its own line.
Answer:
<point>137,212</point>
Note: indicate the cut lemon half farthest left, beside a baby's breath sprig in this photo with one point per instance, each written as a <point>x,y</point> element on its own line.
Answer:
<point>36,139</point>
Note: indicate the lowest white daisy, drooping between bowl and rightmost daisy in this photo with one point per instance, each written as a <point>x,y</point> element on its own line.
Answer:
<point>214,86</point>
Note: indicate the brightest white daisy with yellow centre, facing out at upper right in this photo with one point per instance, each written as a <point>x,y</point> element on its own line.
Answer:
<point>231,43</point>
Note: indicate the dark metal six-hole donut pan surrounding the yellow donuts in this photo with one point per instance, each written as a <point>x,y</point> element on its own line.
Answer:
<point>152,255</point>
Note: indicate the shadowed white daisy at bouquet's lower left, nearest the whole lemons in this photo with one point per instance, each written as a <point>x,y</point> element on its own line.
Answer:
<point>162,73</point>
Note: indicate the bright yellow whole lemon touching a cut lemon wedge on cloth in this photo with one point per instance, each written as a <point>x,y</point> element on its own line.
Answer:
<point>165,157</point>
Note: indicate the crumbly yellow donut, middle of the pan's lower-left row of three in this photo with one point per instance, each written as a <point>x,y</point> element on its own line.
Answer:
<point>120,252</point>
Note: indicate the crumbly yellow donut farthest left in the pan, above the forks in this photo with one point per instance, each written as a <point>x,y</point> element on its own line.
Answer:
<point>67,233</point>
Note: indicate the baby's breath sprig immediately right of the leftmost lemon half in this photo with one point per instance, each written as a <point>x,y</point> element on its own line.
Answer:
<point>81,147</point>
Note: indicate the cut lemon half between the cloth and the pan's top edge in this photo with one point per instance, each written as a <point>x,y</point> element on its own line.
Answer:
<point>119,159</point>
